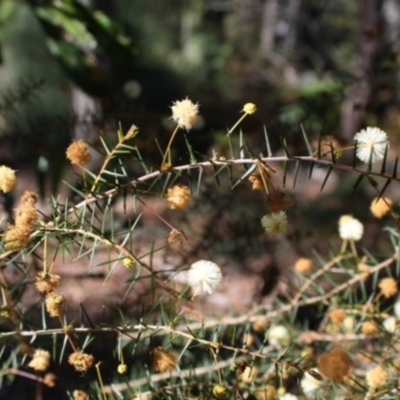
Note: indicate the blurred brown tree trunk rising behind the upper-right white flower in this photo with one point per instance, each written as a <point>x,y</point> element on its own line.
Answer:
<point>369,47</point>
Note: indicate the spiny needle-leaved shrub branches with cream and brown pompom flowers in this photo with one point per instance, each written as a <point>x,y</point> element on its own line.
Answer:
<point>172,349</point>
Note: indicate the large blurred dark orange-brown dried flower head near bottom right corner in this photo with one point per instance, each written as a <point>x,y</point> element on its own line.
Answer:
<point>335,364</point>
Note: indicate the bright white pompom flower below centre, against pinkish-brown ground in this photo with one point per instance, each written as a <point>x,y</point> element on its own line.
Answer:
<point>204,276</point>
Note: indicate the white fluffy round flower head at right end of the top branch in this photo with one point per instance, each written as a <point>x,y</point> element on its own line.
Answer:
<point>371,144</point>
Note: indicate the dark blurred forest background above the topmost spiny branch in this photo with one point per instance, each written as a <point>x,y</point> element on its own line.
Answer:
<point>70,68</point>
